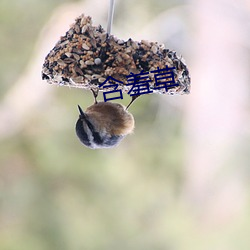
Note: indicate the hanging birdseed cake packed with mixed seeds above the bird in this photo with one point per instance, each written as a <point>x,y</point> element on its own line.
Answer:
<point>87,55</point>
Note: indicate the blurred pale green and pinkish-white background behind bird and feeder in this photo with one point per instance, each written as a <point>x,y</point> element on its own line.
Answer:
<point>180,182</point>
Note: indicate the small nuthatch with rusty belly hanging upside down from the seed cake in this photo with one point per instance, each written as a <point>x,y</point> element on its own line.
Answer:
<point>104,124</point>
